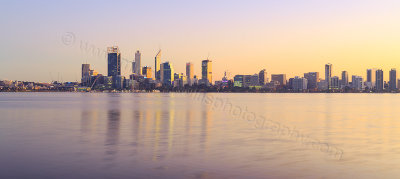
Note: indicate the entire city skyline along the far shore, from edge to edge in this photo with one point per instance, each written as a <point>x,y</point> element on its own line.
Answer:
<point>163,78</point>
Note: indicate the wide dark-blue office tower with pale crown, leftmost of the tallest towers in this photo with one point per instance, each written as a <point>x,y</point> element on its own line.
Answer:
<point>114,61</point>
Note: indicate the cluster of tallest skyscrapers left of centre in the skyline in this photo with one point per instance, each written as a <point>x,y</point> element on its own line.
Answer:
<point>162,77</point>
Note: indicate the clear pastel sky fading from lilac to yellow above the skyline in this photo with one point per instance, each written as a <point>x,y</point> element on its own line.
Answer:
<point>242,37</point>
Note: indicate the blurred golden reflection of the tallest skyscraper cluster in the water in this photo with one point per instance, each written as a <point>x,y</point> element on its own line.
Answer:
<point>157,129</point>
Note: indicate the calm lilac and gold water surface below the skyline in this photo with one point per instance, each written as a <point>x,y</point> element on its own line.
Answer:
<point>89,135</point>
